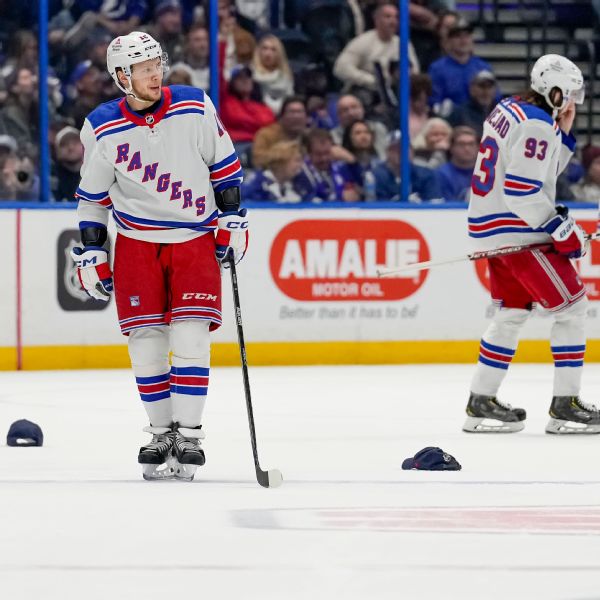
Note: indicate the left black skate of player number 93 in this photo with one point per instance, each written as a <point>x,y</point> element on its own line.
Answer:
<point>486,414</point>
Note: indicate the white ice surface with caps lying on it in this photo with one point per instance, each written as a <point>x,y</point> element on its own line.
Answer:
<point>520,521</point>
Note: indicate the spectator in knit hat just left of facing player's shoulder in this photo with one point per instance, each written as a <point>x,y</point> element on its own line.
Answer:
<point>69,158</point>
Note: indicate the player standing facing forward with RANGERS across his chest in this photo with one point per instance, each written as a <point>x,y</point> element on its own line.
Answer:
<point>161,161</point>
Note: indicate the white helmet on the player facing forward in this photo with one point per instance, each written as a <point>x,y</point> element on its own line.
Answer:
<point>127,50</point>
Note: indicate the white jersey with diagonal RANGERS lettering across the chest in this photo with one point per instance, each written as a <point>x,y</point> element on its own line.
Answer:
<point>158,172</point>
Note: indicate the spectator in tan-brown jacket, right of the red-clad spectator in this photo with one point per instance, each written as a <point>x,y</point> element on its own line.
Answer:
<point>290,126</point>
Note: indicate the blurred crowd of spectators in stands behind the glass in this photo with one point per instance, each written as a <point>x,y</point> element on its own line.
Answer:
<point>307,91</point>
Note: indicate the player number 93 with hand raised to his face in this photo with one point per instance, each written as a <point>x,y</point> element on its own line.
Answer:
<point>526,144</point>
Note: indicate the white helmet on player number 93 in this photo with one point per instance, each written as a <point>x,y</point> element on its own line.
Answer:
<point>555,71</point>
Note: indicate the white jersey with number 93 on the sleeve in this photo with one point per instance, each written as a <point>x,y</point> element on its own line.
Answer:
<point>521,154</point>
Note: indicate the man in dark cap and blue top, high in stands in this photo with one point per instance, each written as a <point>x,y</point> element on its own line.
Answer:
<point>451,74</point>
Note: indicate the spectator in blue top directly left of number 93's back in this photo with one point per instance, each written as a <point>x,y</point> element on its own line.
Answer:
<point>455,176</point>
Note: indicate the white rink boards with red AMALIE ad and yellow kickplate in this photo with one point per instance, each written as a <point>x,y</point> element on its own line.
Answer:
<point>309,292</point>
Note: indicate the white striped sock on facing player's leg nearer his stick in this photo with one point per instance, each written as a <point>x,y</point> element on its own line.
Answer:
<point>190,341</point>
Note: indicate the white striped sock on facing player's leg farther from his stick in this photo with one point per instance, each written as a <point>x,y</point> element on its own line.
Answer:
<point>148,350</point>
